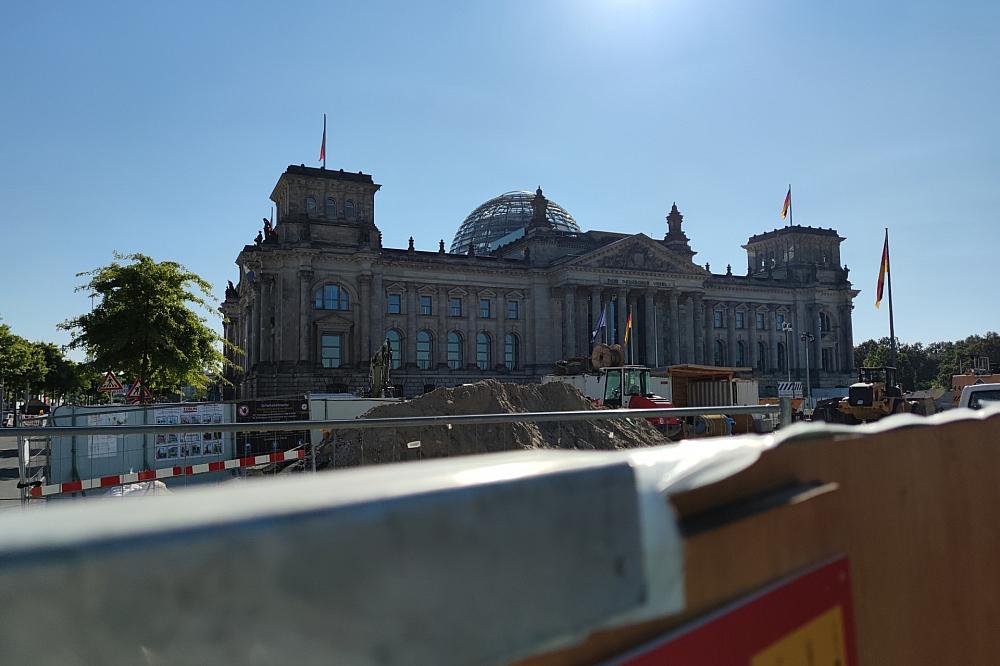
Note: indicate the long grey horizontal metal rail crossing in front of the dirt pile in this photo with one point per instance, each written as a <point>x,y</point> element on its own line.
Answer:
<point>25,434</point>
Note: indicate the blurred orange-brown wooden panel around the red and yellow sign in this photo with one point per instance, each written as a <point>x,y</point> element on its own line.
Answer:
<point>917,513</point>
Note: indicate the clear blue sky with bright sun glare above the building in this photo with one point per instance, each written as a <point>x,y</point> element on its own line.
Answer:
<point>162,127</point>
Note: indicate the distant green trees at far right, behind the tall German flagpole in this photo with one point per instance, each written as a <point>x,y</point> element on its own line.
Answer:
<point>923,366</point>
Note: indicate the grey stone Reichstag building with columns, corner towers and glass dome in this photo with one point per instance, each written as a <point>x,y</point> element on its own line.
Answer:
<point>520,287</point>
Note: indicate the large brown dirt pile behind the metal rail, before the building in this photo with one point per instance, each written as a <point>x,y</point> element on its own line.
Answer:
<point>345,448</point>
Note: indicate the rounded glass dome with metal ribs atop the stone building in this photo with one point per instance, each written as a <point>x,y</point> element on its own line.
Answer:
<point>502,216</point>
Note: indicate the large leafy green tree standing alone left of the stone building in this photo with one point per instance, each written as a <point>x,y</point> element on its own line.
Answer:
<point>144,325</point>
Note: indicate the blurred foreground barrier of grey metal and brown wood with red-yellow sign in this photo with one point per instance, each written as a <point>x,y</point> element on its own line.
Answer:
<point>846,544</point>
